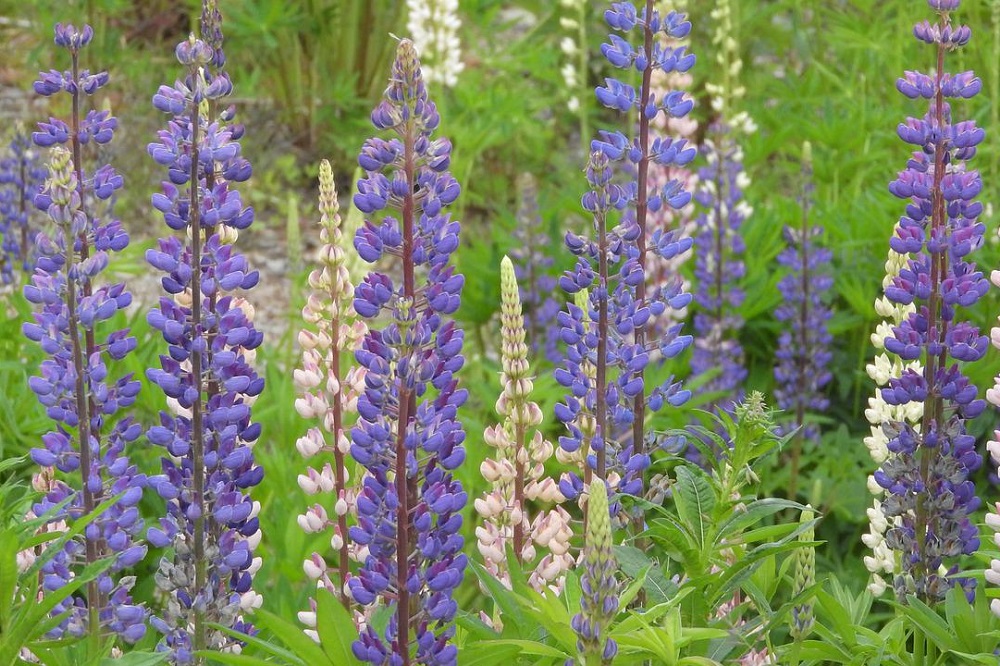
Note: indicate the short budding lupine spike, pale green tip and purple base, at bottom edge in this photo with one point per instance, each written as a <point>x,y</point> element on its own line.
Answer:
<point>599,600</point>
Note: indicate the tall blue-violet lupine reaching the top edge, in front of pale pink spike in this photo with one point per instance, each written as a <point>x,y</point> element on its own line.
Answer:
<point>631,311</point>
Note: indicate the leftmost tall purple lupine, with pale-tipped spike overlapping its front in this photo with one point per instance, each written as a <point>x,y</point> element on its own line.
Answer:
<point>76,384</point>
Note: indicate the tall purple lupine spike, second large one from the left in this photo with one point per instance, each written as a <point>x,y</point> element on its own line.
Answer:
<point>207,374</point>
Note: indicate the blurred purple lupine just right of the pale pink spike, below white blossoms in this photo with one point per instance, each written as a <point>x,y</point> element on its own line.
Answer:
<point>718,269</point>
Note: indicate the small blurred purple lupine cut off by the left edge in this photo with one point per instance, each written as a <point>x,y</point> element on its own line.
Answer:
<point>21,177</point>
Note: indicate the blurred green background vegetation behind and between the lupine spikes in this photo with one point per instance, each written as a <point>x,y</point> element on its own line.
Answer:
<point>307,73</point>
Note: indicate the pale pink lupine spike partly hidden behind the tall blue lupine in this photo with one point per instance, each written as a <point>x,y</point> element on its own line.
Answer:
<point>683,219</point>
